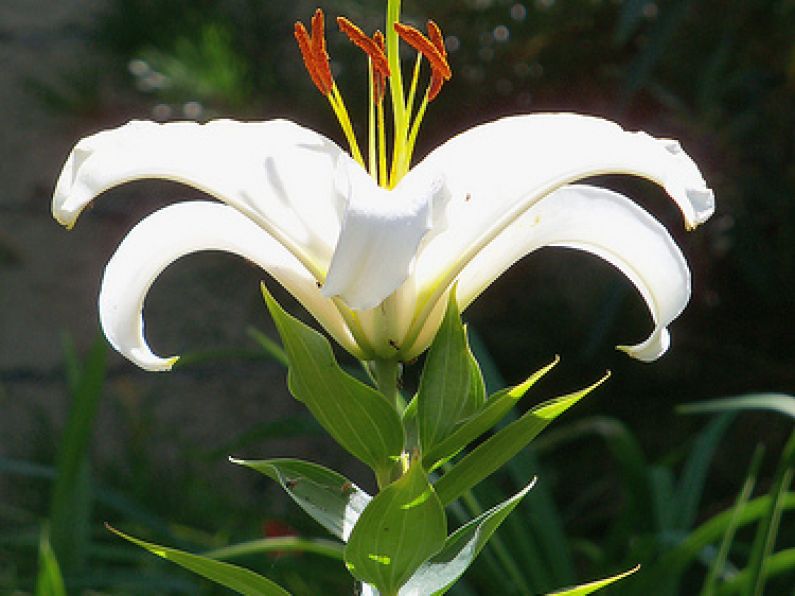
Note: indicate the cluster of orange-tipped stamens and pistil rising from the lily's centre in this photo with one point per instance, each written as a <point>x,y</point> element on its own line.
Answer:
<point>383,66</point>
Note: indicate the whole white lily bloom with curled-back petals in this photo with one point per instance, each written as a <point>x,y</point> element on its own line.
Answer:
<point>373,263</point>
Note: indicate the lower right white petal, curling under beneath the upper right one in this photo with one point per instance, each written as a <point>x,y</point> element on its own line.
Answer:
<point>608,225</point>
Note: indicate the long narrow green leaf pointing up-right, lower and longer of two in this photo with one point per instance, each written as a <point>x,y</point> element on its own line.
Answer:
<point>490,455</point>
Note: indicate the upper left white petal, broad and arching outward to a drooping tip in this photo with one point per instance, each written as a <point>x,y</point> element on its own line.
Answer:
<point>278,173</point>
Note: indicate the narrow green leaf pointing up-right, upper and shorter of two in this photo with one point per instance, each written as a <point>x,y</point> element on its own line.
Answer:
<point>495,408</point>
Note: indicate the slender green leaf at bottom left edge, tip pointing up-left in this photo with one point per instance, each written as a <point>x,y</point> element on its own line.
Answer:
<point>236,578</point>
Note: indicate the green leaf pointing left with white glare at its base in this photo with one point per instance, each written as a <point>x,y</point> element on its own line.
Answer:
<point>327,497</point>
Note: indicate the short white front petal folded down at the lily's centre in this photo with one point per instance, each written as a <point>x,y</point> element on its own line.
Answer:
<point>378,241</point>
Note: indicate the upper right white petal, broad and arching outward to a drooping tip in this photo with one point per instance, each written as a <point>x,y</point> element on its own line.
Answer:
<point>494,172</point>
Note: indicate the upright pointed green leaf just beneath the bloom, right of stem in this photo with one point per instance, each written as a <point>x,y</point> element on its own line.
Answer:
<point>445,396</point>
